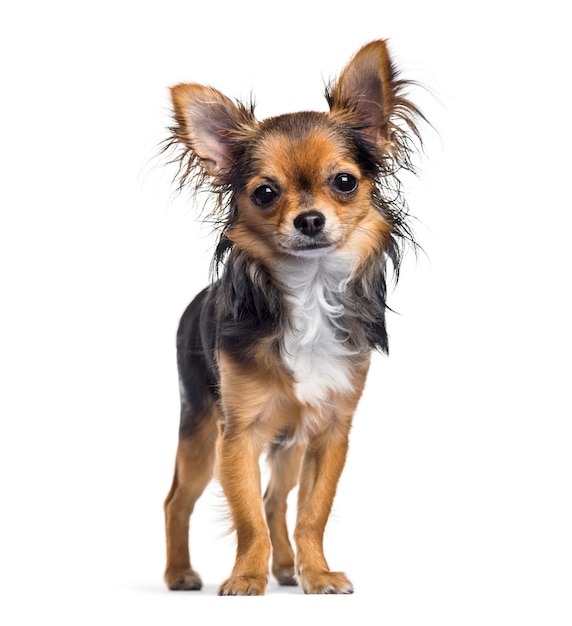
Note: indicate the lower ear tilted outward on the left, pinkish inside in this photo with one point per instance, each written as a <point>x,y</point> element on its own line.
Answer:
<point>207,123</point>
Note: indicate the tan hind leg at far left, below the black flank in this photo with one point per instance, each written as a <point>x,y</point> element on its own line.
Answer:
<point>193,471</point>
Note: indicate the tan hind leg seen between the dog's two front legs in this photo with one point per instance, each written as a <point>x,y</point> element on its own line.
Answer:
<point>285,470</point>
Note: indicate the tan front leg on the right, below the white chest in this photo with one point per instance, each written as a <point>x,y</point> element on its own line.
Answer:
<point>321,470</point>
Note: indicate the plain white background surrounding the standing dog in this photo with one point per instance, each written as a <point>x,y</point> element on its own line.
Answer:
<point>455,504</point>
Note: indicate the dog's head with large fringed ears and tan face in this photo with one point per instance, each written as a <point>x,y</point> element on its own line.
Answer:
<point>304,184</point>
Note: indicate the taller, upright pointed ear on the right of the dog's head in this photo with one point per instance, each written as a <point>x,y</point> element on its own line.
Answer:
<point>367,88</point>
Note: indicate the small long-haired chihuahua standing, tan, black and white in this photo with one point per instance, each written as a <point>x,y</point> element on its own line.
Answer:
<point>273,355</point>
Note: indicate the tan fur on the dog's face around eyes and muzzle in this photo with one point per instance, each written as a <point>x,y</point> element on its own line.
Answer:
<point>353,226</point>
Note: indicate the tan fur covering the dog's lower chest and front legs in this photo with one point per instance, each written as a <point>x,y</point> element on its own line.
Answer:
<point>260,408</point>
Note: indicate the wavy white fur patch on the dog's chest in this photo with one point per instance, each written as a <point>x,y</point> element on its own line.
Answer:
<point>314,347</point>
